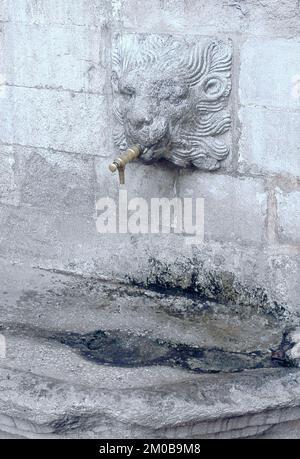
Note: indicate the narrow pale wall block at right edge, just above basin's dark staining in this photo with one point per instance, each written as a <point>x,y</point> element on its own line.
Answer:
<point>289,217</point>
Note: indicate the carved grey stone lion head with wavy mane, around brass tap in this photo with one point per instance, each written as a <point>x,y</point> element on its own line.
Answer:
<point>171,96</point>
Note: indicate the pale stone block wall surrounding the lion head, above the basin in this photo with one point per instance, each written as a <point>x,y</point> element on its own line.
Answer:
<point>56,143</point>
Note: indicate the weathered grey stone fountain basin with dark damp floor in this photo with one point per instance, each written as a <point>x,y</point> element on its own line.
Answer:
<point>93,359</point>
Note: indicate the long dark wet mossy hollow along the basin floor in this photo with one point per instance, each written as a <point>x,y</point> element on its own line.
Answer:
<point>125,349</point>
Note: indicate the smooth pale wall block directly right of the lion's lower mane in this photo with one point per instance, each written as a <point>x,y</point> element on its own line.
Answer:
<point>269,142</point>
